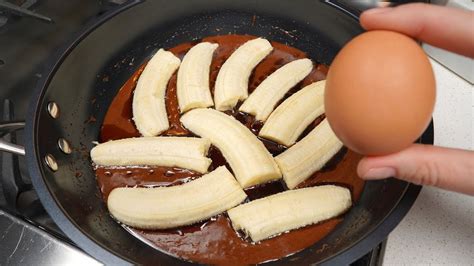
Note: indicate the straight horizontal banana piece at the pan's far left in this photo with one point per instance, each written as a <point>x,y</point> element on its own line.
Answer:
<point>183,152</point>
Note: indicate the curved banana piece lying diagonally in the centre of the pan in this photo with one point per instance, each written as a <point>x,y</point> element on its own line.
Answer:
<point>250,161</point>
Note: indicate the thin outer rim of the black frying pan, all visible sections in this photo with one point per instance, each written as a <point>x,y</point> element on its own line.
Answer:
<point>106,255</point>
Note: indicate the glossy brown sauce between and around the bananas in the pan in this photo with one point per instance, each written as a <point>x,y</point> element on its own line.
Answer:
<point>214,241</point>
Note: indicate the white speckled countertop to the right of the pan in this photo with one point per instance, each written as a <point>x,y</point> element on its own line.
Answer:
<point>439,228</point>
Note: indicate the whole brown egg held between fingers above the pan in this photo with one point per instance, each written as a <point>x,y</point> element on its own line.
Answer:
<point>380,93</point>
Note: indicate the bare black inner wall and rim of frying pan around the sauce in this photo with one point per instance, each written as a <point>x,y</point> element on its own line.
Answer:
<point>105,48</point>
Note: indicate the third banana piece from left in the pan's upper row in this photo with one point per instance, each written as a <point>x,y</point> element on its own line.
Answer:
<point>232,80</point>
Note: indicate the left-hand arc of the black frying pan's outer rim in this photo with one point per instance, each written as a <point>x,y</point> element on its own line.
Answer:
<point>33,158</point>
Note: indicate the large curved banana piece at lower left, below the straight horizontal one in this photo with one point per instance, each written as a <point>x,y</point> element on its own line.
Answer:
<point>168,207</point>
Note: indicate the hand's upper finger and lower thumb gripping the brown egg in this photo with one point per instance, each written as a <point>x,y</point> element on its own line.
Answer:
<point>451,169</point>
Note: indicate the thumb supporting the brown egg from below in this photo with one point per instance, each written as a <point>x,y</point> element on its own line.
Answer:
<point>451,169</point>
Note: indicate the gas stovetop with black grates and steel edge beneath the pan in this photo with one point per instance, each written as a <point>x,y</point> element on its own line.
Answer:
<point>30,31</point>
